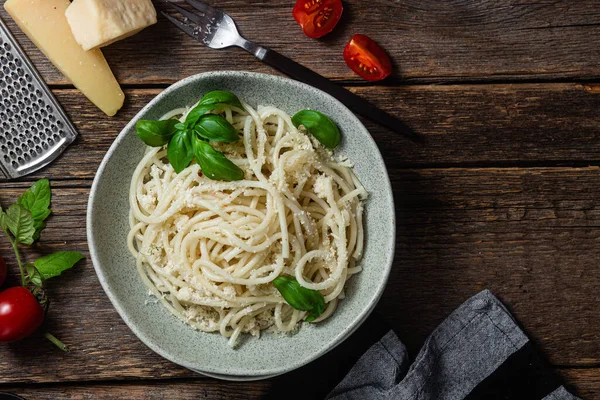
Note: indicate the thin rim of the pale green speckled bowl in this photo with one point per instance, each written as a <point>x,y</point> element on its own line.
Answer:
<point>238,375</point>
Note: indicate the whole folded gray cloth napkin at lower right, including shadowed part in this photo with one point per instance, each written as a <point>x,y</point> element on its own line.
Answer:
<point>478,352</point>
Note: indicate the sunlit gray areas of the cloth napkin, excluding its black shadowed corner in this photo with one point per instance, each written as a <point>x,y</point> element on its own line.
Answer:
<point>465,349</point>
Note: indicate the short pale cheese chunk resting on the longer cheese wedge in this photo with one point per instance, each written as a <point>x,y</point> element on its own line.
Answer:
<point>98,23</point>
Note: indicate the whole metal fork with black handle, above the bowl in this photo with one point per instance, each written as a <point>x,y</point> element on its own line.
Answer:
<point>217,30</point>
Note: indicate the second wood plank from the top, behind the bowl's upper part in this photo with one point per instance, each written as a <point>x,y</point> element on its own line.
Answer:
<point>526,124</point>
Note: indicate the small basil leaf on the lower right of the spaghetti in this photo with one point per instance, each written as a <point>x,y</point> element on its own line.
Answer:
<point>299,297</point>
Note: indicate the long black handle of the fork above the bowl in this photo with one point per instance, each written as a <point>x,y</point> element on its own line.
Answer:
<point>351,100</point>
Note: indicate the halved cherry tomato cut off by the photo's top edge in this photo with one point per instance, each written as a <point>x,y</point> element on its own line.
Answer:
<point>317,17</point>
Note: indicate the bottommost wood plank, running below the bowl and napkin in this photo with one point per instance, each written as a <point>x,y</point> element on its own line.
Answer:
<point>586,381</point>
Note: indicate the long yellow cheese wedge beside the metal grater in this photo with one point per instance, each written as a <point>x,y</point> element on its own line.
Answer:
<point>45,24</point>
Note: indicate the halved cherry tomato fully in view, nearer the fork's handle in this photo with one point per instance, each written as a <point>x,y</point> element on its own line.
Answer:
<point>367,59</point>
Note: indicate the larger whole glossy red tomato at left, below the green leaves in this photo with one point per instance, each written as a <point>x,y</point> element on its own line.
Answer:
<point>20,314</point>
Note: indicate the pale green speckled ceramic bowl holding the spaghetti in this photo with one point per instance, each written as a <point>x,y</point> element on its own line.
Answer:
<point>107,228</point>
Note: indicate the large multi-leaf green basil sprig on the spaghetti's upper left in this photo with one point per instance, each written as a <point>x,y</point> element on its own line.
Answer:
<point>190,139</point>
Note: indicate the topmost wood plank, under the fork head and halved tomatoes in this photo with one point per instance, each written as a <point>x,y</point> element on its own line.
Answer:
<point>429,41</point>
